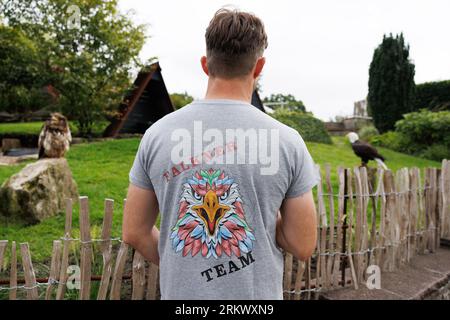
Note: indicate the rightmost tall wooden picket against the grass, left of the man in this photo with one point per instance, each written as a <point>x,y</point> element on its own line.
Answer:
<point>106,249</point>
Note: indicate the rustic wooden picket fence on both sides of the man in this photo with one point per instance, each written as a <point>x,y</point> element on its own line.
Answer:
<point>374,218</point>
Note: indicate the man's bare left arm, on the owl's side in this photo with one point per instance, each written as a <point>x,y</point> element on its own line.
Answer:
<point>138,229</point>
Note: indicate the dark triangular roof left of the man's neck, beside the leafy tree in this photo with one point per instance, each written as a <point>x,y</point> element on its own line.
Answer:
<point>148,102</point>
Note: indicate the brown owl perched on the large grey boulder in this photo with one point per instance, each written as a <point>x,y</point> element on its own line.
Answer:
<point>55,137</point>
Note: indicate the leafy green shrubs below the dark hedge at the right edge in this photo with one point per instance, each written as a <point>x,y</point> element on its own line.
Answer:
<point>424,134</point>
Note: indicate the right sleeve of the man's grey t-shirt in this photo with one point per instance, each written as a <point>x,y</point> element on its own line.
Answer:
<point>305,175</point>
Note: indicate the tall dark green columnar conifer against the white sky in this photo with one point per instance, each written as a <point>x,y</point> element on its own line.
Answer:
<point>391,83</point>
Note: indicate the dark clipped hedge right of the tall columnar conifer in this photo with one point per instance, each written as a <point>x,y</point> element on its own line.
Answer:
<point>433,96</point>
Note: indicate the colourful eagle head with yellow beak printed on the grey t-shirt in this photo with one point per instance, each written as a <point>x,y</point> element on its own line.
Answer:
<point>211,218</point>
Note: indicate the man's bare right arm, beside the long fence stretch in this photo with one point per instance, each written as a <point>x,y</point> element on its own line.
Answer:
<point>297,226</point>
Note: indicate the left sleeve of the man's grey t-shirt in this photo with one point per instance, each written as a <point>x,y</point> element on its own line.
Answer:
<point>139,175</point>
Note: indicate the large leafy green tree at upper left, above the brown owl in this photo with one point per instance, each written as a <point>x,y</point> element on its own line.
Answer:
<point>88,49</point>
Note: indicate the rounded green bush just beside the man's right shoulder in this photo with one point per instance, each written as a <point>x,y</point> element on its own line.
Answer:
<point>310,128</point>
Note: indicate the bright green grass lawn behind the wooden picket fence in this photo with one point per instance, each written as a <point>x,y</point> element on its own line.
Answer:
<point>101,171</point>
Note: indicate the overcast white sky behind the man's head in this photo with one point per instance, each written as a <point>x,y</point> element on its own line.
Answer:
<point>319,50</point>
